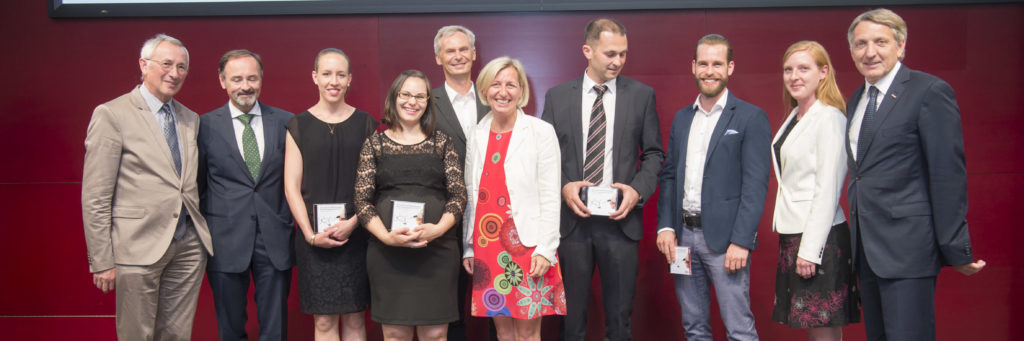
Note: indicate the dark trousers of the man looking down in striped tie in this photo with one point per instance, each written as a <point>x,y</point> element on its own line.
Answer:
<point>599,241</point>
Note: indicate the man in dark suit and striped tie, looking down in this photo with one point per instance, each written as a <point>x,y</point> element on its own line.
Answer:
<point>607,126</point>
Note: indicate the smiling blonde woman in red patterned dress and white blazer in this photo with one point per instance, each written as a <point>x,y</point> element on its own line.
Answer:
<point>511,231</point>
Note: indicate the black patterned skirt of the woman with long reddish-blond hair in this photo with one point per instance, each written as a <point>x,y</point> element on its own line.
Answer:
<point>830,299</point>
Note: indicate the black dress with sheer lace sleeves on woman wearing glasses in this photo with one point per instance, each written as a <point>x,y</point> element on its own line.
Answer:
<point>412,287</point>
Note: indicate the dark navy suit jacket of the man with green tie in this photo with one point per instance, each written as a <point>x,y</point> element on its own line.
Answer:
<point>236,206</point>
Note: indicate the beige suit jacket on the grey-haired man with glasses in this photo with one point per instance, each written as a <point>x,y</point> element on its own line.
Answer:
<point>132,194</point>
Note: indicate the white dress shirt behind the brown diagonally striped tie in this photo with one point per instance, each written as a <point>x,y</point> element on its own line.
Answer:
<point>589,96</point>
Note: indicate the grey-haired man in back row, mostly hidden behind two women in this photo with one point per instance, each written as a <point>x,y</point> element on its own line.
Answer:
<point>458,111</point>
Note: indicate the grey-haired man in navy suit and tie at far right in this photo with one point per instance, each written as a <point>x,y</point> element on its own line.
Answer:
<point>908,188</point>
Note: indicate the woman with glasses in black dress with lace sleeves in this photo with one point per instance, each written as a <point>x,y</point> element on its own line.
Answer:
<point>413,271</point>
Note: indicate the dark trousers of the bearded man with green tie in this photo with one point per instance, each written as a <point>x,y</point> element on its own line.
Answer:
<point>231,293</point>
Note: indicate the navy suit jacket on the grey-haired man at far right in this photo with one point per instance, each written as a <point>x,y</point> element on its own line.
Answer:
<point>909,193</point>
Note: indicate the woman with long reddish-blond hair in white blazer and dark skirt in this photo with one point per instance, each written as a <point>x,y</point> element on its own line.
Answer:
<point>816,289</point>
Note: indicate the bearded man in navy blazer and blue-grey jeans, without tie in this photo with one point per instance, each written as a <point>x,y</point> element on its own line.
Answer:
<point>713,193</point>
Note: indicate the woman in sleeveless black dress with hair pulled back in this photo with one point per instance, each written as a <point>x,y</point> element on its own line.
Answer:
<point>321,157</point>
